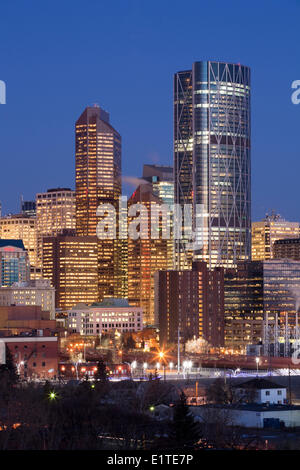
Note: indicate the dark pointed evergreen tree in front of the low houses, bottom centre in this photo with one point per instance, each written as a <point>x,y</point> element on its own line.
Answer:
<point>184,431</point>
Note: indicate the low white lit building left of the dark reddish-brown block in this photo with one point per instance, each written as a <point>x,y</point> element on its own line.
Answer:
<point>98,318</point>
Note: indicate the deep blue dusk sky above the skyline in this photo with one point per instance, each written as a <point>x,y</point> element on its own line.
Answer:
<point>57,57</point>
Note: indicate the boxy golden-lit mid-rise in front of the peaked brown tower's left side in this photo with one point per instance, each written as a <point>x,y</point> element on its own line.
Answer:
<point>70,262</point>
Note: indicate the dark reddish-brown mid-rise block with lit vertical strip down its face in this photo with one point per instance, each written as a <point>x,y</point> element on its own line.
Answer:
<point>190,303</point>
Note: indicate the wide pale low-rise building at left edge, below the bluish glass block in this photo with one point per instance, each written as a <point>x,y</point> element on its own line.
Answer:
<point>33,292</point>
